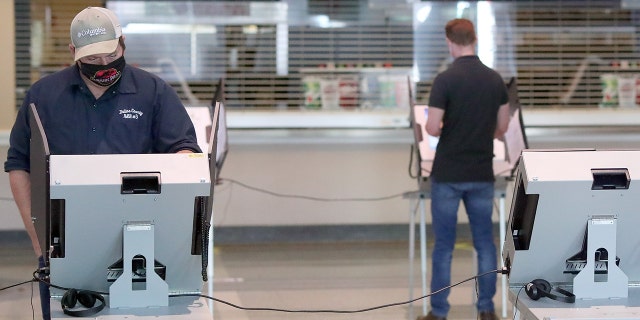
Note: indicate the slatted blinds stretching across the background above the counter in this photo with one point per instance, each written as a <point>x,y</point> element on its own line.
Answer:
<point>347,54</point>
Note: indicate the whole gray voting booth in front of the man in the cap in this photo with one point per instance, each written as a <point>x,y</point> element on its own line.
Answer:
<point>129,229</point>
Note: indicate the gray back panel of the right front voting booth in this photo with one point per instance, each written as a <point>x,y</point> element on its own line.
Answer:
<point>556,194</point>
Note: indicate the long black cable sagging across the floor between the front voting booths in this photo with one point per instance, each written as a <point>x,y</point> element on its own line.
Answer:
<point>395,304</point>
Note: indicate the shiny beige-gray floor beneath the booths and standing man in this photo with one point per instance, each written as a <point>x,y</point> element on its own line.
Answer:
<point>327,276</point>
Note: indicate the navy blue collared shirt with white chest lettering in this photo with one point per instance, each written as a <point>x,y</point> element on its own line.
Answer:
<point>140,114</point>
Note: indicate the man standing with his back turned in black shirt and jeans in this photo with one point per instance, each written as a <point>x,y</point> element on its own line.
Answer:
<point>468,108</point>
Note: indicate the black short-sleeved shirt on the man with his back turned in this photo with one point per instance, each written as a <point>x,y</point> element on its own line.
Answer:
<point>470,94</point>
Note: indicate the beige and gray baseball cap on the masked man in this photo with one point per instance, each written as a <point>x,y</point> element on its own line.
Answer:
<point>95,30</point>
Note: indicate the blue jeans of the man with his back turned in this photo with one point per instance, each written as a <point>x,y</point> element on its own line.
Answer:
<point>478,201</point>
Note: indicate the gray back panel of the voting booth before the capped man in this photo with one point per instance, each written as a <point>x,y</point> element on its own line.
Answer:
<point>96,210</point>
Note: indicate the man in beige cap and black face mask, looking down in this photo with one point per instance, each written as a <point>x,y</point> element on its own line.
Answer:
<point>98,105</point>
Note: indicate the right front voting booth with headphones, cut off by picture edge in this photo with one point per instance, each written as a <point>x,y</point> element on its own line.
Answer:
<point>572,243</point>
